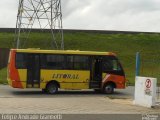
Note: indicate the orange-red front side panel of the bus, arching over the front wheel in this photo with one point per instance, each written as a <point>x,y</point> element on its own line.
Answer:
<point>117,79</point>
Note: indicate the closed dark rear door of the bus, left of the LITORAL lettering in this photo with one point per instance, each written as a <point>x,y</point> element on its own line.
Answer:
<point>33,71</point>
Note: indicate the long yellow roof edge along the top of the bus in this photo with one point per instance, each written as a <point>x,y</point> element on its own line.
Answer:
<point>74,52</point>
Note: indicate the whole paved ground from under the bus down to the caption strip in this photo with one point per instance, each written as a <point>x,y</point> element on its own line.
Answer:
<point>67,102</point>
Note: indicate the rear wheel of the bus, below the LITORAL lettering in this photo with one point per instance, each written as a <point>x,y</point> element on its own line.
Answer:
<point>52,88</point>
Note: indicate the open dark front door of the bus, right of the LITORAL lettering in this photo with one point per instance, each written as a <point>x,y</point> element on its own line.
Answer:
<point>96,73</point>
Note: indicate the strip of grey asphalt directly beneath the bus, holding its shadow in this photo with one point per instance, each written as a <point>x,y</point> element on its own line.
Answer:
<point>9,92</point>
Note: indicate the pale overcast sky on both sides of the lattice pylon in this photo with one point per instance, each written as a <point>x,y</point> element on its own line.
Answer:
<point>123,15</point>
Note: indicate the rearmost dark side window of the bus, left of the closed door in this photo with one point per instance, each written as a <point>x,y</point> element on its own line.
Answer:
<point>21,61</point>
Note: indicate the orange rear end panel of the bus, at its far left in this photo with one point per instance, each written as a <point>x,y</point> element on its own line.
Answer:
<point>13,74</point>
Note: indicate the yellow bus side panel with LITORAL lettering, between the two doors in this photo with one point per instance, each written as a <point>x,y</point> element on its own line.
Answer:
<point>68,79</point>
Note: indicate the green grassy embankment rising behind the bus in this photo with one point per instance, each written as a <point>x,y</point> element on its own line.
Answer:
<point>125,45</point>
